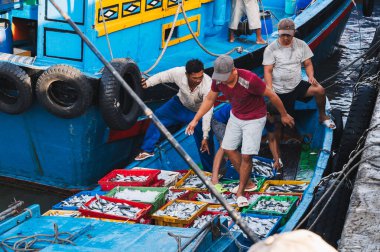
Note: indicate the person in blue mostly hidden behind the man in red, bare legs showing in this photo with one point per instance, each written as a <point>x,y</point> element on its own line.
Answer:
<point>218,125</point>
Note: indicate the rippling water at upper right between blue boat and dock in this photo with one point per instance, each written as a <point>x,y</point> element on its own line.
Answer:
<point>355,40</point>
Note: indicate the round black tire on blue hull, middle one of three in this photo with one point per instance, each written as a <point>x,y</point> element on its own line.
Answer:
<point>64,91</point>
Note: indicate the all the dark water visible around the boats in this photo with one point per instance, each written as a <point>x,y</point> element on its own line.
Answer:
<point>355,40</point>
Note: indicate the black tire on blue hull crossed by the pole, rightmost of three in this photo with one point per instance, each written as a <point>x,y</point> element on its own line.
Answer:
<point>118,108</point>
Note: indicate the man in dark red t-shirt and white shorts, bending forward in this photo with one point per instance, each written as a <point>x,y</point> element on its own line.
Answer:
<point>245,91</point>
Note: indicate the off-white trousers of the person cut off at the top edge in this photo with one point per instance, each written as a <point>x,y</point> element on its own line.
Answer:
<point>248,7</point>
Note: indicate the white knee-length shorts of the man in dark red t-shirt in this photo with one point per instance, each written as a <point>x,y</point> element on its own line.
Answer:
<point>246,133</point>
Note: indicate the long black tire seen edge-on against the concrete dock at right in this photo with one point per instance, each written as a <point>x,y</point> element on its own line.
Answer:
<point>358,121</point>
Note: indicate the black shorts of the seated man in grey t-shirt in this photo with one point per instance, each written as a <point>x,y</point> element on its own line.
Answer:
<point>298,94</point>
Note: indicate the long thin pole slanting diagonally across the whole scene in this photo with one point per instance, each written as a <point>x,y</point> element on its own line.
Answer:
<point>148,112</point>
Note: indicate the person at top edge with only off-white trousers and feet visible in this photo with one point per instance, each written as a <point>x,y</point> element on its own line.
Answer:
<point>251,9</point>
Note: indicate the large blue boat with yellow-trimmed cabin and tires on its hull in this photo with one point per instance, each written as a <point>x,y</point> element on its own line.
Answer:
<point>66,122</point>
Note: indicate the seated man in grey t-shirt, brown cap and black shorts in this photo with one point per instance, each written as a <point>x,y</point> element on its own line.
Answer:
<point>282,71</point>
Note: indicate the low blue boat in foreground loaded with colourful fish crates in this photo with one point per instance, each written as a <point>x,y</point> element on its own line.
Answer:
<point>89,230</point>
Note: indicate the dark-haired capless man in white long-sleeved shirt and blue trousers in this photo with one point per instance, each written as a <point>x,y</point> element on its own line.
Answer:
<point>194,86</point>
